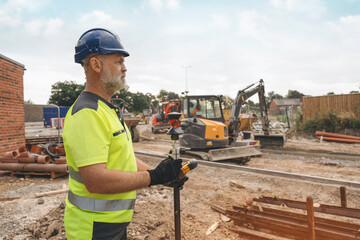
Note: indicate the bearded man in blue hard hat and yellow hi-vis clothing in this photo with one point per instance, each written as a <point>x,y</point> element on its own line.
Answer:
<point>103,170</point>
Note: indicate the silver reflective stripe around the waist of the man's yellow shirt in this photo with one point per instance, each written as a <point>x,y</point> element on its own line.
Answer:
<point>102,205</point>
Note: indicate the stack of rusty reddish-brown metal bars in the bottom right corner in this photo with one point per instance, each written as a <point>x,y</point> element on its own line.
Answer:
<point>273,218</point>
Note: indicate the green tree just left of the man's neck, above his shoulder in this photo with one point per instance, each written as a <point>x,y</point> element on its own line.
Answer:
<point>65,93</point>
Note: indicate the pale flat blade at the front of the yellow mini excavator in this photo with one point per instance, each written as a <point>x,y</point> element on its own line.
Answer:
<point>233,153</point>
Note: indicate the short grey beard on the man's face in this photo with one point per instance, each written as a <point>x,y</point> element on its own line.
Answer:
<point>112,82</point>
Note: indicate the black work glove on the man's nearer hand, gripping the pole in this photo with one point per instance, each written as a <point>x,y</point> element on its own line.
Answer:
<point>167,171</point>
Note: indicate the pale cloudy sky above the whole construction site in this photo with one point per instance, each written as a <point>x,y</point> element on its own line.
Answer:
<point>311,46</point>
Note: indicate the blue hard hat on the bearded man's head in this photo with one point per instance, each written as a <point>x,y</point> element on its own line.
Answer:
<point>98,40</point>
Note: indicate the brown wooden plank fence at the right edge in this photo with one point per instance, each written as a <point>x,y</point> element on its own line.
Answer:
<point>323,105</point>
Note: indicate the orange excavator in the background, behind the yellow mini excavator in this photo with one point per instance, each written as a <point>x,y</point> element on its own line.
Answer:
<point>160,120</point>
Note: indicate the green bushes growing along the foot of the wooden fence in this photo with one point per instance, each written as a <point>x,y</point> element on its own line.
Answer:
<point>333,122</point>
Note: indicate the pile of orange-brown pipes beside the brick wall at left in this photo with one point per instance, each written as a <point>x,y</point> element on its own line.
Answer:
<point>33,159</point>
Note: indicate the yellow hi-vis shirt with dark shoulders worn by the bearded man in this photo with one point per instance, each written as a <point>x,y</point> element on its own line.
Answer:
<point>93,133</point>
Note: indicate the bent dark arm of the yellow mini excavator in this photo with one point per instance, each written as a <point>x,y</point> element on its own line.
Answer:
<point>240,99</point>
